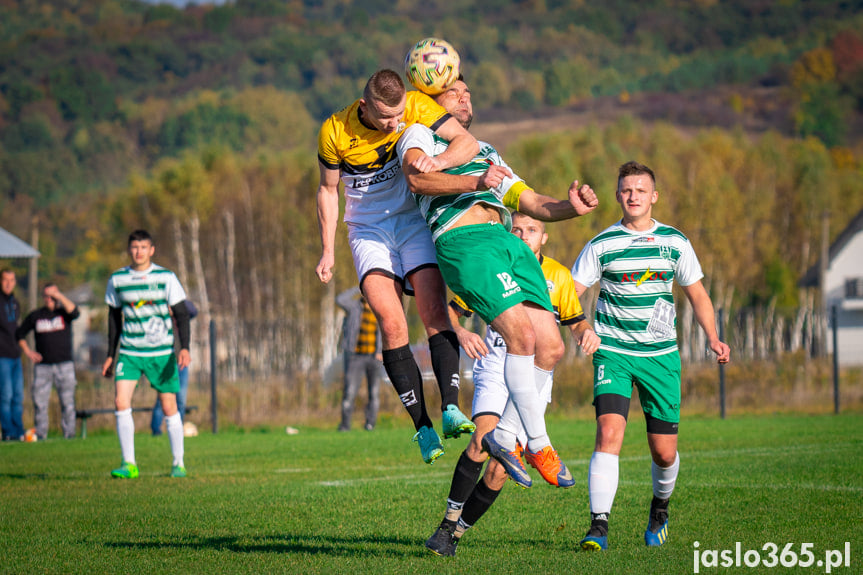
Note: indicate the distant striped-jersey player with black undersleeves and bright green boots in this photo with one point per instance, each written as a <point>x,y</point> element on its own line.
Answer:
<point>141,299</point>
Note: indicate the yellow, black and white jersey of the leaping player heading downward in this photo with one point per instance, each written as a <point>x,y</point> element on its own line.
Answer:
<point>367,158</point>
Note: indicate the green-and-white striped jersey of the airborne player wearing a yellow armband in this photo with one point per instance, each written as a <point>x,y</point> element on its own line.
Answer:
<point>441,212</point>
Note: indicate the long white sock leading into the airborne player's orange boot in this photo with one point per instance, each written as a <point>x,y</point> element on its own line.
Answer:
<point>521,383</point>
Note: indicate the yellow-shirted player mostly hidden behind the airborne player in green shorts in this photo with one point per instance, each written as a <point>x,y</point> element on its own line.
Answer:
<point>492,410</point>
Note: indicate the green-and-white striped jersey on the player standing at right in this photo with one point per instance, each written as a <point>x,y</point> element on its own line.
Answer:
<point>635,312</point>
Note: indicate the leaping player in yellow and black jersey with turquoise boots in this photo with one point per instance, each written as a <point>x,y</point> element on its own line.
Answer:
<point>391,245</point>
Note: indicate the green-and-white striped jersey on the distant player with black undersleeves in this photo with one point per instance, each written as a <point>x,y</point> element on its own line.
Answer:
<point>145,298</point>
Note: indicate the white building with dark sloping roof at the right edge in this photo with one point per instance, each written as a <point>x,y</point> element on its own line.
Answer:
<point>843,288</point>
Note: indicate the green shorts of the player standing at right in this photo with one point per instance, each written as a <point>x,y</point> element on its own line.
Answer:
<point>657,379</point>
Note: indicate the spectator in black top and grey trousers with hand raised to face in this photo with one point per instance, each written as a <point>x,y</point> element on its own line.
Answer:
<point>53,363</point>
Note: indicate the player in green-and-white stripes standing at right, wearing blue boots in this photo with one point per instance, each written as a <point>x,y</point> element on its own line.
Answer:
<point>636,262</point>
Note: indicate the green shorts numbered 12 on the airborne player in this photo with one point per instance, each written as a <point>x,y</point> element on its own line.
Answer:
<point>491,269</point>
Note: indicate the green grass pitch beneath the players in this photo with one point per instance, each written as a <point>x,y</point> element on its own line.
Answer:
<point>328,502</point>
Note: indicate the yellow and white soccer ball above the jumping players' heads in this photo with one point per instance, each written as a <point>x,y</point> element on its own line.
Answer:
<point>432,66</point>
